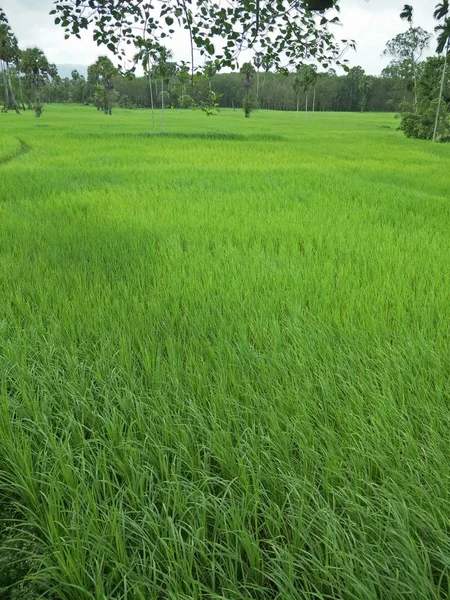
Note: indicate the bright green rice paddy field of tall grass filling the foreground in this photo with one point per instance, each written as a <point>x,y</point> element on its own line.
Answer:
<point>224,366</point>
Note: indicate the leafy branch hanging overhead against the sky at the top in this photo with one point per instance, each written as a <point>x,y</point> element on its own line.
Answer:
<point>287,32</point>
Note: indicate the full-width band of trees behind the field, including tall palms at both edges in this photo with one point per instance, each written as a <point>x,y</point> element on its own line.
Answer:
<point>417,89</point>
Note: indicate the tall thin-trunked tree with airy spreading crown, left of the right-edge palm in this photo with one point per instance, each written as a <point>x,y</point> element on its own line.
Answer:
<point>407,48</point>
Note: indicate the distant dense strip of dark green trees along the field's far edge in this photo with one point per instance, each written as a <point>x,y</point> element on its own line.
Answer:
<point>354,91</point>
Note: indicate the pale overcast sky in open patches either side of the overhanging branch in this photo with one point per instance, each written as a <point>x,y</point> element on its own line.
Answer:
<point>369,22</point>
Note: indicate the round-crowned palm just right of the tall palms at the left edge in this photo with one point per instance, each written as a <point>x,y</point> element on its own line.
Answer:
<point>37,71</point>
